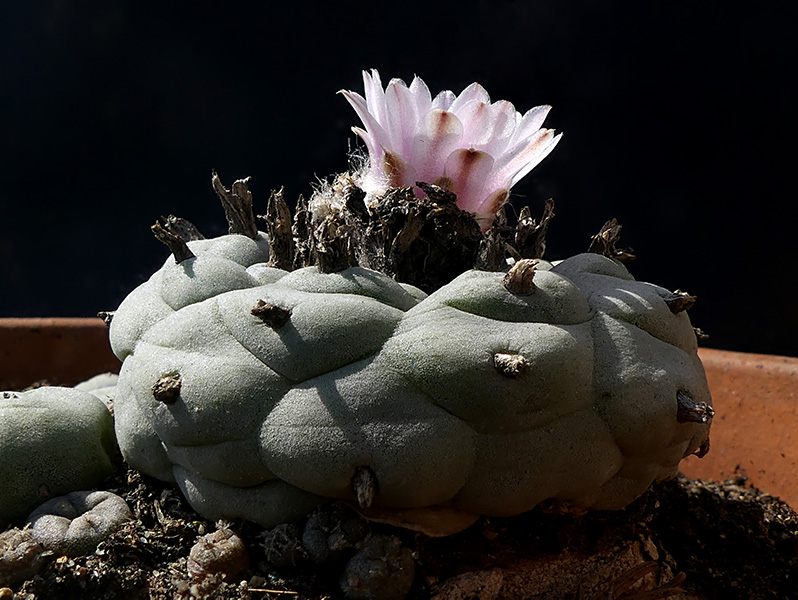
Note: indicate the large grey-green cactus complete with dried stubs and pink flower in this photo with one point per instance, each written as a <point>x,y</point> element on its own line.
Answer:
<point>397,345</point>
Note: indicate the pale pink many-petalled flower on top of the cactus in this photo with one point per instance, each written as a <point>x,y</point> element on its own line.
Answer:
<point>467,144</point>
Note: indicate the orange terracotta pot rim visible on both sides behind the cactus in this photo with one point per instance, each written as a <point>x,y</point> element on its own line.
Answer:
<point>756,396</point>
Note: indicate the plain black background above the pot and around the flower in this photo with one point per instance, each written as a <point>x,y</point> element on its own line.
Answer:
<point>678,120</point>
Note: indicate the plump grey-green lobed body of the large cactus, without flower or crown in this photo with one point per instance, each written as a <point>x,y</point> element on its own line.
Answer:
<point>264,396</point>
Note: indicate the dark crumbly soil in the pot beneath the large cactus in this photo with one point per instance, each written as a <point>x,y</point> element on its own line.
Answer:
<point>681,539</point>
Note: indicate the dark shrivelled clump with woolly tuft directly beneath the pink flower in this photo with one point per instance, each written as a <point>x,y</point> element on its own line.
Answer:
<point>426,242</point>
